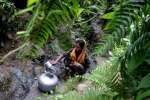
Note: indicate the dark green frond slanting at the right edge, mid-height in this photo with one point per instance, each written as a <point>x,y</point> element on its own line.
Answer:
<point>135,53</point>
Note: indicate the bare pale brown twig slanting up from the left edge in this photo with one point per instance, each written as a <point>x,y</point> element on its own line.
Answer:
<point>12,51</point>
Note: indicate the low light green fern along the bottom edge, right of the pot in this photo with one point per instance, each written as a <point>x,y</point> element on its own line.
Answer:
<point>90,94</point>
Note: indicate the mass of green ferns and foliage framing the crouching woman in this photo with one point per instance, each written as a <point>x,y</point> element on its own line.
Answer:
<point>126,74</point>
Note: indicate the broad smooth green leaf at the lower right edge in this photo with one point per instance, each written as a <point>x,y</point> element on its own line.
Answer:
<point>145,82</point>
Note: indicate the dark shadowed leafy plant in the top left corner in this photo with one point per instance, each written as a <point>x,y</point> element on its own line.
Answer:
<point>6,19</point>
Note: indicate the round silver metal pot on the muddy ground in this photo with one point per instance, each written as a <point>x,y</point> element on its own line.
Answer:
<point>47,81</point>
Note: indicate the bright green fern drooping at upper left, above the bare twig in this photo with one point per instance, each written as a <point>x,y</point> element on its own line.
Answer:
<point>44,24</point>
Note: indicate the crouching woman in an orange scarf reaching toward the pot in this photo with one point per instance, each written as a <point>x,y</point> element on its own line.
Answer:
<point>76,59</point>
